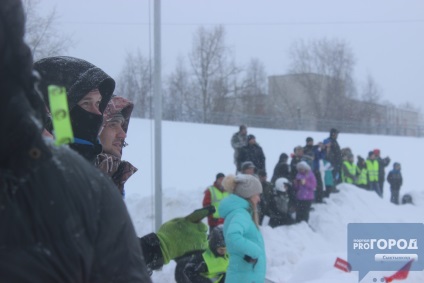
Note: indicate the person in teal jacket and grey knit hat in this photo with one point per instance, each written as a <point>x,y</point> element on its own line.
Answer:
<point>245,244</point>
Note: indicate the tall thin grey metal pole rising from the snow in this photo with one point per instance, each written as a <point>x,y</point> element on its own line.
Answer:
<point>158,115</point>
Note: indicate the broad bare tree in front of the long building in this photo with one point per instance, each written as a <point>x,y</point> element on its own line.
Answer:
<point>324,69</point>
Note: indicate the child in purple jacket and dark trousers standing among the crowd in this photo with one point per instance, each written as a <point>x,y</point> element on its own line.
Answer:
<point>305,184</point>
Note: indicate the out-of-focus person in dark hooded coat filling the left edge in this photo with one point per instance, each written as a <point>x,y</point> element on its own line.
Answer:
<point>60,220</point>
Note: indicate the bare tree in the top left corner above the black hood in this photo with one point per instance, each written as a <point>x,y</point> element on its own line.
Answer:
<point>41,33</point>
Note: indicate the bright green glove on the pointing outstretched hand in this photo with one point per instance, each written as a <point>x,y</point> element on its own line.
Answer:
<point>180,236</point>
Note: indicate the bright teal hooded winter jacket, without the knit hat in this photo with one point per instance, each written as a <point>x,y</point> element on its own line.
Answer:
<point>242,237</point>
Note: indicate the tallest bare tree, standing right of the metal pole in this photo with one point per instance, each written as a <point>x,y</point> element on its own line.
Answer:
<point>213,70</point>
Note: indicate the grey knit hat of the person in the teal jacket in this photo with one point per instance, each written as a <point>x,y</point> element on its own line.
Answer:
<point>243,185</point>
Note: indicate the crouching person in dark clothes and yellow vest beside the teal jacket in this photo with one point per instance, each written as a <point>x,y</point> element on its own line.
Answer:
<point>205,266</point>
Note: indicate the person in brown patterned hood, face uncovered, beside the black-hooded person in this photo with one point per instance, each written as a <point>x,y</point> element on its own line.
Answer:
<point>116,119</point>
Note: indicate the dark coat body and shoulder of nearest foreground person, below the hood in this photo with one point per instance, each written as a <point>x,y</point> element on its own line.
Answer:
<point>64,221</point>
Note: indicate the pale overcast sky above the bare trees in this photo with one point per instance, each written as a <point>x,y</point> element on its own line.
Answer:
<point>386,36</point>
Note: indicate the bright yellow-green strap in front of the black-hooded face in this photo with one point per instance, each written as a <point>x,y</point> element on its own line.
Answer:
<point>60,115</point>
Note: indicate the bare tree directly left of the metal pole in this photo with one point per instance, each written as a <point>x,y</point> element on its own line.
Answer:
<point>135,83</point>
